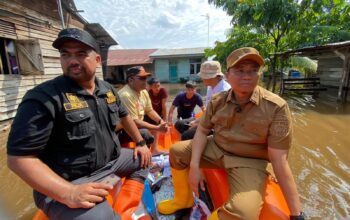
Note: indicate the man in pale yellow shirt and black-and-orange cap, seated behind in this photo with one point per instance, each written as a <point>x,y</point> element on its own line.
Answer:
<point>138,103</point>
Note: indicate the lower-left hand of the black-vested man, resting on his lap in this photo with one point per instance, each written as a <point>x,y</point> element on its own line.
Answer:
<point>86,195</point>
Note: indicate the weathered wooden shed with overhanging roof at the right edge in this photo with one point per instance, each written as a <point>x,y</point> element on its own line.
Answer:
<point>333,65</point>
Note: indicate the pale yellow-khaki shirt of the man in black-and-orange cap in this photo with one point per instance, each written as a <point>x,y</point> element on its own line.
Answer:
<point>137,104</point>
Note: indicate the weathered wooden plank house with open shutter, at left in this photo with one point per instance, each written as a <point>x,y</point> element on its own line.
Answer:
<point>27,30</point>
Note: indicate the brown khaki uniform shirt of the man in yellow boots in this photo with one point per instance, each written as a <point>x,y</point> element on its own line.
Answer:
<point>248,131</point>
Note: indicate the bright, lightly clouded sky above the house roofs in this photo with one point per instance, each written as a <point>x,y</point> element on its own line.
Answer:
<point>146,24</point>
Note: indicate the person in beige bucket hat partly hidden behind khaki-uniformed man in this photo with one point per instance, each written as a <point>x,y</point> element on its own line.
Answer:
<point>213,78</point>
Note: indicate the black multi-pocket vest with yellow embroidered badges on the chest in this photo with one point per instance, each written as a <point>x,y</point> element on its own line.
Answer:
<point>74,148</point>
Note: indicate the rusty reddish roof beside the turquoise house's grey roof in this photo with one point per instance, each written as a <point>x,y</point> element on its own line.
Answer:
<point>129,57</point>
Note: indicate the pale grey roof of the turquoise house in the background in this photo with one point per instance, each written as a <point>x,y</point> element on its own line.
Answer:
<point>188,52</point>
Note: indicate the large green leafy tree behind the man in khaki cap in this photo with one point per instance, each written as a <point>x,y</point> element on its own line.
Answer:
<point>278,25</point>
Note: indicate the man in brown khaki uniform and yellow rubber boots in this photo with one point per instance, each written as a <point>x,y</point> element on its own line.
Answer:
<point>252,131</point>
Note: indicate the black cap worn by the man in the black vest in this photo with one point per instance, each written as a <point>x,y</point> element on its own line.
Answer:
<point>75,34</point>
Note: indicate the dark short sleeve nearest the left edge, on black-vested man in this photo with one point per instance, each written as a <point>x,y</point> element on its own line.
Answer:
<point>30,129</point>
